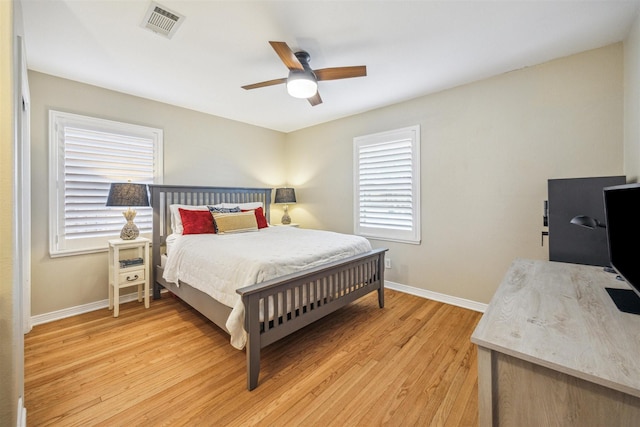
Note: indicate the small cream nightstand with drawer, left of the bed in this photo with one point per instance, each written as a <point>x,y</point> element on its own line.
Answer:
<point>128,270</point>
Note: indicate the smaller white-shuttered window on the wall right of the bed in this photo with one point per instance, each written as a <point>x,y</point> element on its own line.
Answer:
<point>387,185</point>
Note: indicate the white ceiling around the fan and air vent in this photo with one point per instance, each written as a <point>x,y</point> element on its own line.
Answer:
<point>410,48</point>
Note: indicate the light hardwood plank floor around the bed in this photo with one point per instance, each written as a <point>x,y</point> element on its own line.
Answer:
<point>410,363</point>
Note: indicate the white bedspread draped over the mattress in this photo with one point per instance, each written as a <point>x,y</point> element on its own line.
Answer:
<point>220,264</point>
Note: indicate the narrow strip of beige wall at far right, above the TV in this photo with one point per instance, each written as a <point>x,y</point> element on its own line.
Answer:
<point>632,104</point>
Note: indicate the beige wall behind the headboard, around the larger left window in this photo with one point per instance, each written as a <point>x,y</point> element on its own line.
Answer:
<point>199,149</point>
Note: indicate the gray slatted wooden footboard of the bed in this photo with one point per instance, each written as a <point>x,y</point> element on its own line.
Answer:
<point>298,299</point>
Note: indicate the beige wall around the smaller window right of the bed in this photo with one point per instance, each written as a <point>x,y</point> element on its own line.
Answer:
<point>488,149</point>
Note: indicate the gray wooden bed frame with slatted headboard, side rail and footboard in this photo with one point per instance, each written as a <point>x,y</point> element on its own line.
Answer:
<point>271,309</point>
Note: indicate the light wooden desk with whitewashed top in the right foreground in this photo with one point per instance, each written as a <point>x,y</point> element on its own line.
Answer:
<point>553,350</point>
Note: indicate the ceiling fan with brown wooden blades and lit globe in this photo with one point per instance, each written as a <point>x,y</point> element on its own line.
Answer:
<point>302,81</point>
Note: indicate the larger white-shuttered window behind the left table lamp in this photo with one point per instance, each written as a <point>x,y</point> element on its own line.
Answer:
<point>86,156</point>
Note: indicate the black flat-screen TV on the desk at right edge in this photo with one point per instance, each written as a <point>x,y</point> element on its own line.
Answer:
<point>622,214</point>
